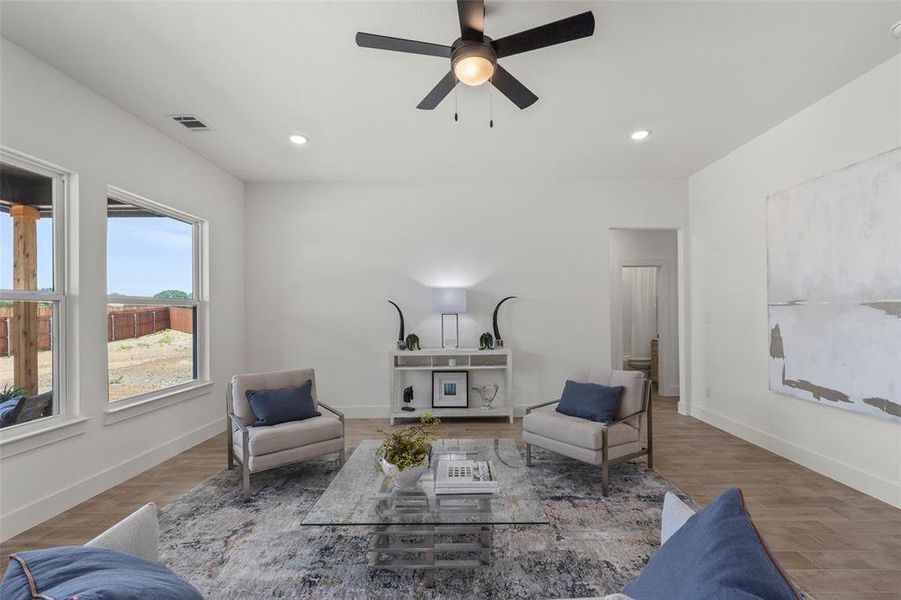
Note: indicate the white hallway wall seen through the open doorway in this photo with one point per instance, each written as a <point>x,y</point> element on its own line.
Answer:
<point>634,247</point>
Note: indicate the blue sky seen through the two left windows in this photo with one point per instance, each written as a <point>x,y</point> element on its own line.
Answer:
<point>145,255</point>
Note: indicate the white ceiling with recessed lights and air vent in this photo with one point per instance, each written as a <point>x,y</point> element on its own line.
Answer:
<point>706,77</point>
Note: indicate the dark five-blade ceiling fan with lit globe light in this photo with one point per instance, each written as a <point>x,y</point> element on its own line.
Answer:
<point>474,55</point>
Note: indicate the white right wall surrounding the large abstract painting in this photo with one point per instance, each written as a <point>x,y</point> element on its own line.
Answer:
<point>728,286</point>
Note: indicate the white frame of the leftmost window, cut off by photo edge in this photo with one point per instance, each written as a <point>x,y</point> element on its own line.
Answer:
<point>65,412</point>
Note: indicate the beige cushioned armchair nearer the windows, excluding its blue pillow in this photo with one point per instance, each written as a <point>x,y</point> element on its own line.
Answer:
<point>262,448</point>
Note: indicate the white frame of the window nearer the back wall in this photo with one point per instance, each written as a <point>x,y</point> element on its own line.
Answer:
<point>125,408</point>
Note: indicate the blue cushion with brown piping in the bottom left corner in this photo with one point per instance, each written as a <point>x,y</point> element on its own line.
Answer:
<point>90,574</point>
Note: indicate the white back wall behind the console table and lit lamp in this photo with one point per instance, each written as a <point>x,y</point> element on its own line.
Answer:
<point>324,258</point>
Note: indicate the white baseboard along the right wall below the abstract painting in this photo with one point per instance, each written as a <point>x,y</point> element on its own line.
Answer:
<point>870,484</point>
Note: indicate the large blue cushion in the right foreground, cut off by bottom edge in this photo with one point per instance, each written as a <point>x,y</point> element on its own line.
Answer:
<point>718,553</point>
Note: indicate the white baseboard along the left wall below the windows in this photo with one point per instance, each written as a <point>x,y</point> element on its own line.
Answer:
<point>49,506</point>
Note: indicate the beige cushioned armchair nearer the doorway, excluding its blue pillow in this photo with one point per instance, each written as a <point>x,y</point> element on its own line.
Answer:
<point>628,436</point>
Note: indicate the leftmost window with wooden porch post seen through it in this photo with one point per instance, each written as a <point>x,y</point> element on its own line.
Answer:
<point>32,289</point>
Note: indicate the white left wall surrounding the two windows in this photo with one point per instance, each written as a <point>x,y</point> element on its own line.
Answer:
<point>49,116</point>
